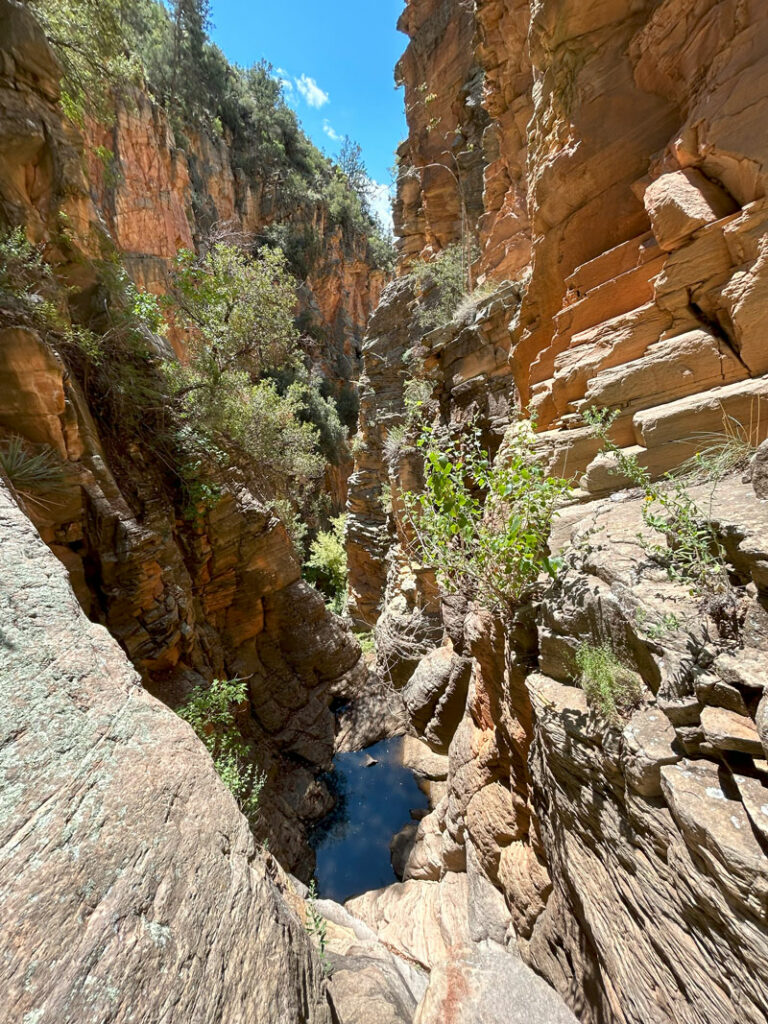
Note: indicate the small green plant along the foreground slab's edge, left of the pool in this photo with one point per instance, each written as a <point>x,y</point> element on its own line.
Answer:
<point>212,714</point>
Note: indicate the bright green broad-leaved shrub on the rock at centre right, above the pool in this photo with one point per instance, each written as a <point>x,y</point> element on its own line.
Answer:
<point>485,526</point>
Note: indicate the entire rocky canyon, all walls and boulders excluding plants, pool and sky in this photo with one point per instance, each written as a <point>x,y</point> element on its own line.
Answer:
<point>603,172</point>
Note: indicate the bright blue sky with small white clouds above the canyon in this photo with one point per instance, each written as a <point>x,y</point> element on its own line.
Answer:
<point>338,62</point>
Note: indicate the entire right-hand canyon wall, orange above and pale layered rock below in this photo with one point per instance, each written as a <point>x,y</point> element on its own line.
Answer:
<point>624,198</point>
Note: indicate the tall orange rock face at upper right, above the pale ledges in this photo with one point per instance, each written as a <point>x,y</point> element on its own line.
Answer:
<point>627,186</point>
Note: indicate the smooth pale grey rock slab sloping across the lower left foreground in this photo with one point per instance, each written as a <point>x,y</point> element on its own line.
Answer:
<point>133,889</point>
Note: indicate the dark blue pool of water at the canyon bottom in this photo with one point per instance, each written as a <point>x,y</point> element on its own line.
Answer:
<point>353,844</point>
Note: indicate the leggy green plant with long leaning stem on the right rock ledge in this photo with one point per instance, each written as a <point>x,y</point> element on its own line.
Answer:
<point>692,553</point>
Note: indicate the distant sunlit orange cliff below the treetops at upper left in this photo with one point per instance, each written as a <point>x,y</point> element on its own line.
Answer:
<point>157,198</point>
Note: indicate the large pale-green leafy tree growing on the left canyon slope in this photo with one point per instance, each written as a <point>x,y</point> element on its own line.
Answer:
<point>239,315</point>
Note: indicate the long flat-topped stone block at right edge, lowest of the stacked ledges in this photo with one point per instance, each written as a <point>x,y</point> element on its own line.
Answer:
<point>711,412</point>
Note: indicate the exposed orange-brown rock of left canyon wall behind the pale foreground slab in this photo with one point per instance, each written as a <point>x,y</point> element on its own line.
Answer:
<point>190,600</point>
